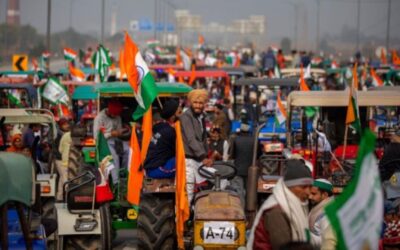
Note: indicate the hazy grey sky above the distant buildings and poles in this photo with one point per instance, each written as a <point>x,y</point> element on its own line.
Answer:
<point>279,14</point>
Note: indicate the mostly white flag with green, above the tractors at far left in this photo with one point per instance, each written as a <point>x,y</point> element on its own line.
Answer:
<point>54,92</point>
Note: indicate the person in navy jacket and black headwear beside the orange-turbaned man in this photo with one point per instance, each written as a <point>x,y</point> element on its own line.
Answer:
<point>160,161</point>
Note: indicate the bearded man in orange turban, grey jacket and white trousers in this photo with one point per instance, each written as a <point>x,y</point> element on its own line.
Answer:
<point>194,136</point>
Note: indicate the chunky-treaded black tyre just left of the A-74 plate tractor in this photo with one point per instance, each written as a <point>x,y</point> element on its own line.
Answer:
<point>156,223</point>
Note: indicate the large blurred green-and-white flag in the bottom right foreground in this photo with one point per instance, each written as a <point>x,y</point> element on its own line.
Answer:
<point>356,215</point>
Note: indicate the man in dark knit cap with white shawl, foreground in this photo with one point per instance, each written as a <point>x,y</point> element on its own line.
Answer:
<point>283,216</point>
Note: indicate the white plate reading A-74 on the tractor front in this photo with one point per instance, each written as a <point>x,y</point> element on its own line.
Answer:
<point>215,232</point>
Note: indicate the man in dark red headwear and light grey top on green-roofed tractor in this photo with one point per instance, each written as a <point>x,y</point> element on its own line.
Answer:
<point>109,121</point>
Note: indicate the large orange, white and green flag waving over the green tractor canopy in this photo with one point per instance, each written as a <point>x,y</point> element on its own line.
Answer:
<point>139,77</point>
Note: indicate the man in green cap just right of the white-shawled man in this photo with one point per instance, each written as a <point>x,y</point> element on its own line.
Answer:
<point>320,196</point>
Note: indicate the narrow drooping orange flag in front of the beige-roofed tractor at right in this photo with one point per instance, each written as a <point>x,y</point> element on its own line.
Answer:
<point>353,116</point>
